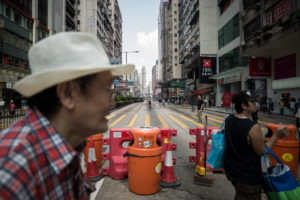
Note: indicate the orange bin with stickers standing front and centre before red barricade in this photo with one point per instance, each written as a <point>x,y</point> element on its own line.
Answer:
<point>144,161</point>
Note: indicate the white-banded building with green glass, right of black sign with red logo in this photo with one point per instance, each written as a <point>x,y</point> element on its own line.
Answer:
<point>232,67</point>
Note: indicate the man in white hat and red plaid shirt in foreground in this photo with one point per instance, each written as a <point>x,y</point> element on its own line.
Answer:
<point>69,95</point>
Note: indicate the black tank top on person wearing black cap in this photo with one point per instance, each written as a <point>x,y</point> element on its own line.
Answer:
<point>241,162</point>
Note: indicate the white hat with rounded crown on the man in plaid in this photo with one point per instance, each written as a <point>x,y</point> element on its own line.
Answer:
<point>63,57</point>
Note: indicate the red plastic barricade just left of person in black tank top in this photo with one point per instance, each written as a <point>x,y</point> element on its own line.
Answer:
<point>199,145</point>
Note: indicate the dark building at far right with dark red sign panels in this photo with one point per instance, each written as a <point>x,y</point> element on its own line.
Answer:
<point>270,35</point>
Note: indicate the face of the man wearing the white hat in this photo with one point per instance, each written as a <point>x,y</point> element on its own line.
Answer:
<point>95,104</point>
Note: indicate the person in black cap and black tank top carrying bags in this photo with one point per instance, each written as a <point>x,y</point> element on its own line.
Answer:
<point>245,146</point>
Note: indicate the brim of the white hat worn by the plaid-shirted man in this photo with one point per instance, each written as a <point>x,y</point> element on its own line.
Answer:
<point>37,82</point>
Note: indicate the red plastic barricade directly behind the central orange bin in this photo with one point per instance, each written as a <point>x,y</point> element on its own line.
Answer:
<point>118,164</point>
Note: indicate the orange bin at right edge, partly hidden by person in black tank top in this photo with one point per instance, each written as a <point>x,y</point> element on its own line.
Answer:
<point>287,148</point>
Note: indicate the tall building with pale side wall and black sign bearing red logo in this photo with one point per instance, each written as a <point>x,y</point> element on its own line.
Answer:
<point>198,45</point>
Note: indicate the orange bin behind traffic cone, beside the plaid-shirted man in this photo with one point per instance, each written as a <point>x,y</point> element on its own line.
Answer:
<point>98,149</point>
